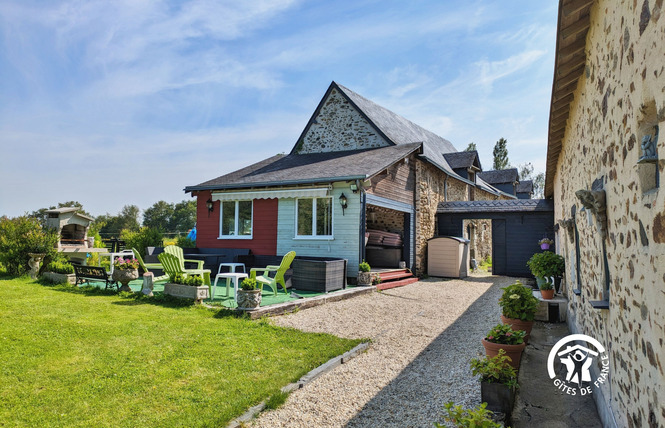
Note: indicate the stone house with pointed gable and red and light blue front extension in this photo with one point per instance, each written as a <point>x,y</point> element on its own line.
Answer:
<point>357,172</point>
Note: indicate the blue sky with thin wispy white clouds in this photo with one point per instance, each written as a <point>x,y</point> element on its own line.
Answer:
<point>130,101</point>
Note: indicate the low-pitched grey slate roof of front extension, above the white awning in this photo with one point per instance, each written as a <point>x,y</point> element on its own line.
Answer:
<point>311,168</point>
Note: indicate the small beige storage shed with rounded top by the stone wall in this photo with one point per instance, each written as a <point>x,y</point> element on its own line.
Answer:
<point>448,256</point>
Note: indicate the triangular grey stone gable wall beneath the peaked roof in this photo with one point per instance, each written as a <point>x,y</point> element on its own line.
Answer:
<point>339,127</point>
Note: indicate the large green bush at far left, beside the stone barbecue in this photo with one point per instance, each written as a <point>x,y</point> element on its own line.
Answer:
<point>20,236</point>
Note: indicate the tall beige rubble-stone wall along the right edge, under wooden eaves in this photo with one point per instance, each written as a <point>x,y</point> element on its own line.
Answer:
<point>618,101</point>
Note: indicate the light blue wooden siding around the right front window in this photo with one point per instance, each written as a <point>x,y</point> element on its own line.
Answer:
<point>346,230</point>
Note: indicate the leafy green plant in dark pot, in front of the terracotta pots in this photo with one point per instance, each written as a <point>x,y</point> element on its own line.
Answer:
<point>498,382</point>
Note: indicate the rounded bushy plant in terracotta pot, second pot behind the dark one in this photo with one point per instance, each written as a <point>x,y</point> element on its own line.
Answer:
<point>518,308</point>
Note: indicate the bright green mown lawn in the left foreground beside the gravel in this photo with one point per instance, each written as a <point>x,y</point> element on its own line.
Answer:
<point>71,357</point>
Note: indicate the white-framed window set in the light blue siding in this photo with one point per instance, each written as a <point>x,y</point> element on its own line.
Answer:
<point>314,218</point>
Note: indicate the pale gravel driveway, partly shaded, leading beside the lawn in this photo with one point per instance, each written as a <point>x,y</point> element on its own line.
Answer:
<point>423,337</point>
